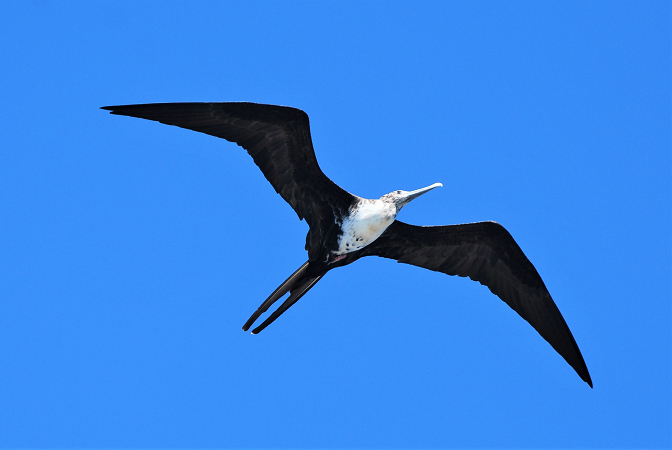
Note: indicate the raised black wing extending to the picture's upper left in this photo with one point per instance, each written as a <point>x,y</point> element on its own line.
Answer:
<point>277,138</point>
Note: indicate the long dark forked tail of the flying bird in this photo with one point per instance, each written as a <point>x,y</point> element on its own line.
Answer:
<point>297,285</point>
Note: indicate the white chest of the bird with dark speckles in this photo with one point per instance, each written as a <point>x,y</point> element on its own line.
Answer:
<point>365,225</point>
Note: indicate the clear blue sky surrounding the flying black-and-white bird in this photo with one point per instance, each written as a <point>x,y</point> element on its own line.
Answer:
<point>131,253</point>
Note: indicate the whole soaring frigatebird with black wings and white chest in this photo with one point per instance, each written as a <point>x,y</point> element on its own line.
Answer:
<point>344,227</point>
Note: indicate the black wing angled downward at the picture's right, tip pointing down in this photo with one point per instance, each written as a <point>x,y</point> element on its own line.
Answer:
<point>484,252</point>
